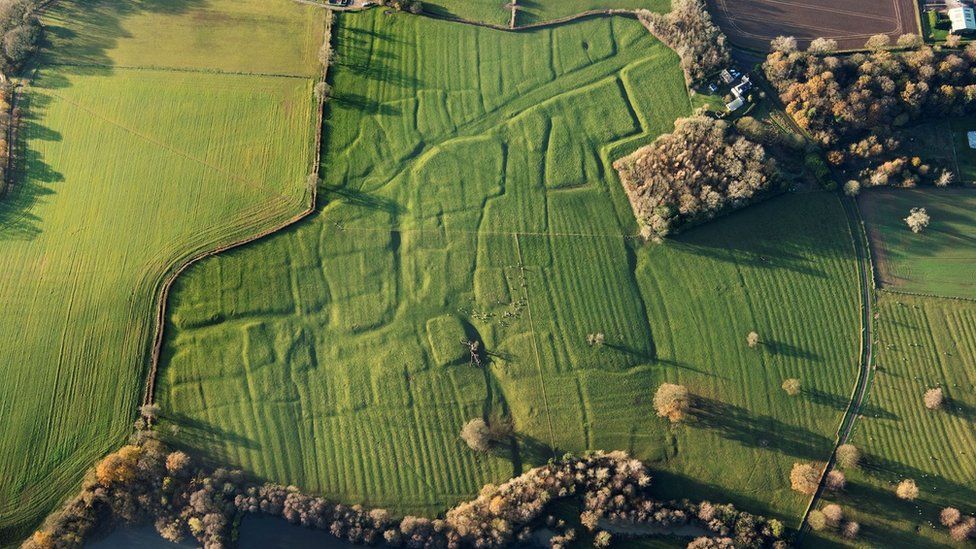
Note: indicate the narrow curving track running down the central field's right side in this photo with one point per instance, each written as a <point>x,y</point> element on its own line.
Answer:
<point>866,278</point>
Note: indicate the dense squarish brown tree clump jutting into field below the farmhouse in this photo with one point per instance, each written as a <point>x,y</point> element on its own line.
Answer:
<point>692,174</point>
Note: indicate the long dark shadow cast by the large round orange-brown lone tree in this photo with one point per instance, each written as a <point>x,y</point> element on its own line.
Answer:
<point>758,431</point>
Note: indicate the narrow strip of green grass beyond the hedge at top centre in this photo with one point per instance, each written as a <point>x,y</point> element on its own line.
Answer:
<point>532,11</point>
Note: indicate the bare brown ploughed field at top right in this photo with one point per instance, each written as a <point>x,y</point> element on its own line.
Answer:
<point>753,23</point>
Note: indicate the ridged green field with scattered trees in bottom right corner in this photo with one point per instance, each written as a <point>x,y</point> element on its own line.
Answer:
<point>922,343</point>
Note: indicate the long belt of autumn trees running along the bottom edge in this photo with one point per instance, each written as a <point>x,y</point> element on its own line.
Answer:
<point>146,481</point>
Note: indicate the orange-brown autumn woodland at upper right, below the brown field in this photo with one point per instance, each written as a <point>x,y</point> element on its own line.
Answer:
<point>854,105</point>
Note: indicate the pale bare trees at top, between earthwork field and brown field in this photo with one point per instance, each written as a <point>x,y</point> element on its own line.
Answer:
<point>688,30</point>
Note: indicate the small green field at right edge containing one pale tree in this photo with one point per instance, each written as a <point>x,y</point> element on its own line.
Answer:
<point>941,260</point>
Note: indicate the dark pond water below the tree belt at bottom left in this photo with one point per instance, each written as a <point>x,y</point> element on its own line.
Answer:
<point>256,532</point>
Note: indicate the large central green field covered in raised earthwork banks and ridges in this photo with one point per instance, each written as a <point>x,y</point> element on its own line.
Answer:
<point>468,195</point>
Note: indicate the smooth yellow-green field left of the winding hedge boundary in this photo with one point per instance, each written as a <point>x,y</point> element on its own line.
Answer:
<point>137,155</point>
